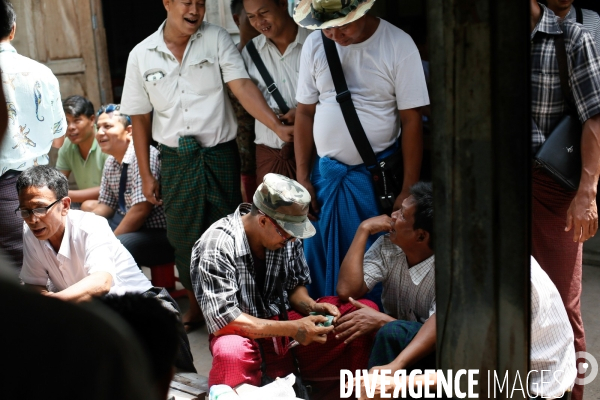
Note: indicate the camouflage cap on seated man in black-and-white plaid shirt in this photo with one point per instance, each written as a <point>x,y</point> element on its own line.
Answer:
<point>286,201</point>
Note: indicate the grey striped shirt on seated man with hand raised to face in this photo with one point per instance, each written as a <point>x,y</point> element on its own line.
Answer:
<point>408,292</point>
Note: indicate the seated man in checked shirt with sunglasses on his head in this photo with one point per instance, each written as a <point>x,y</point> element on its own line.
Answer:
<point>137,223</point>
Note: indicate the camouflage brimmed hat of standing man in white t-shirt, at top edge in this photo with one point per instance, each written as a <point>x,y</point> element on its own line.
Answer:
<point>323,14</point>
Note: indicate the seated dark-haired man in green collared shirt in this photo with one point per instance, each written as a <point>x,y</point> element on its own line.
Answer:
<point>79,153</point>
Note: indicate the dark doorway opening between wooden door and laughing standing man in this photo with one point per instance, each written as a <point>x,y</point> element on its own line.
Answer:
<point>127,23</point>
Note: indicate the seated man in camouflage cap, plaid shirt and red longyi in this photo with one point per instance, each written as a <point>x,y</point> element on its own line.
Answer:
<point>237,267</point>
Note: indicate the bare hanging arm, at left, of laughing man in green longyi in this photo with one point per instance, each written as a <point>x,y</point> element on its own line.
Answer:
<point>142,134</point>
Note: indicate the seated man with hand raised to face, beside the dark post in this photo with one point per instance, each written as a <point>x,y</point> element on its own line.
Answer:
<point>403,261</point>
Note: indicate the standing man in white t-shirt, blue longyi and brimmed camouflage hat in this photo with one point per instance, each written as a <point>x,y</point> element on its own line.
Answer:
<point>385,77</point>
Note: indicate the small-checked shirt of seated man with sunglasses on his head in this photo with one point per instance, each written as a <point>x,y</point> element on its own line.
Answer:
<point>111,179</point>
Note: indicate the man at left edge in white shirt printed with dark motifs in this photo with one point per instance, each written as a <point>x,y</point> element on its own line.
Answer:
<point>35,120</point>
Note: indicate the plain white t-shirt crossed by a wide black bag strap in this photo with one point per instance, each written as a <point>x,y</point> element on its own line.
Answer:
<point>384,74</point>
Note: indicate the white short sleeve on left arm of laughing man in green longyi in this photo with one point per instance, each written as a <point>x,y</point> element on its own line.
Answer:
<point>135,100</point>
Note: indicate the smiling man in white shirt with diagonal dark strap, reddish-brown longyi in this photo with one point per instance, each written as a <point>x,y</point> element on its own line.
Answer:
<point>279,47</point>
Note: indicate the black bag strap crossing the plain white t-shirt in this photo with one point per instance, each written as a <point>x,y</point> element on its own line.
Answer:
<point>344,98</point>
